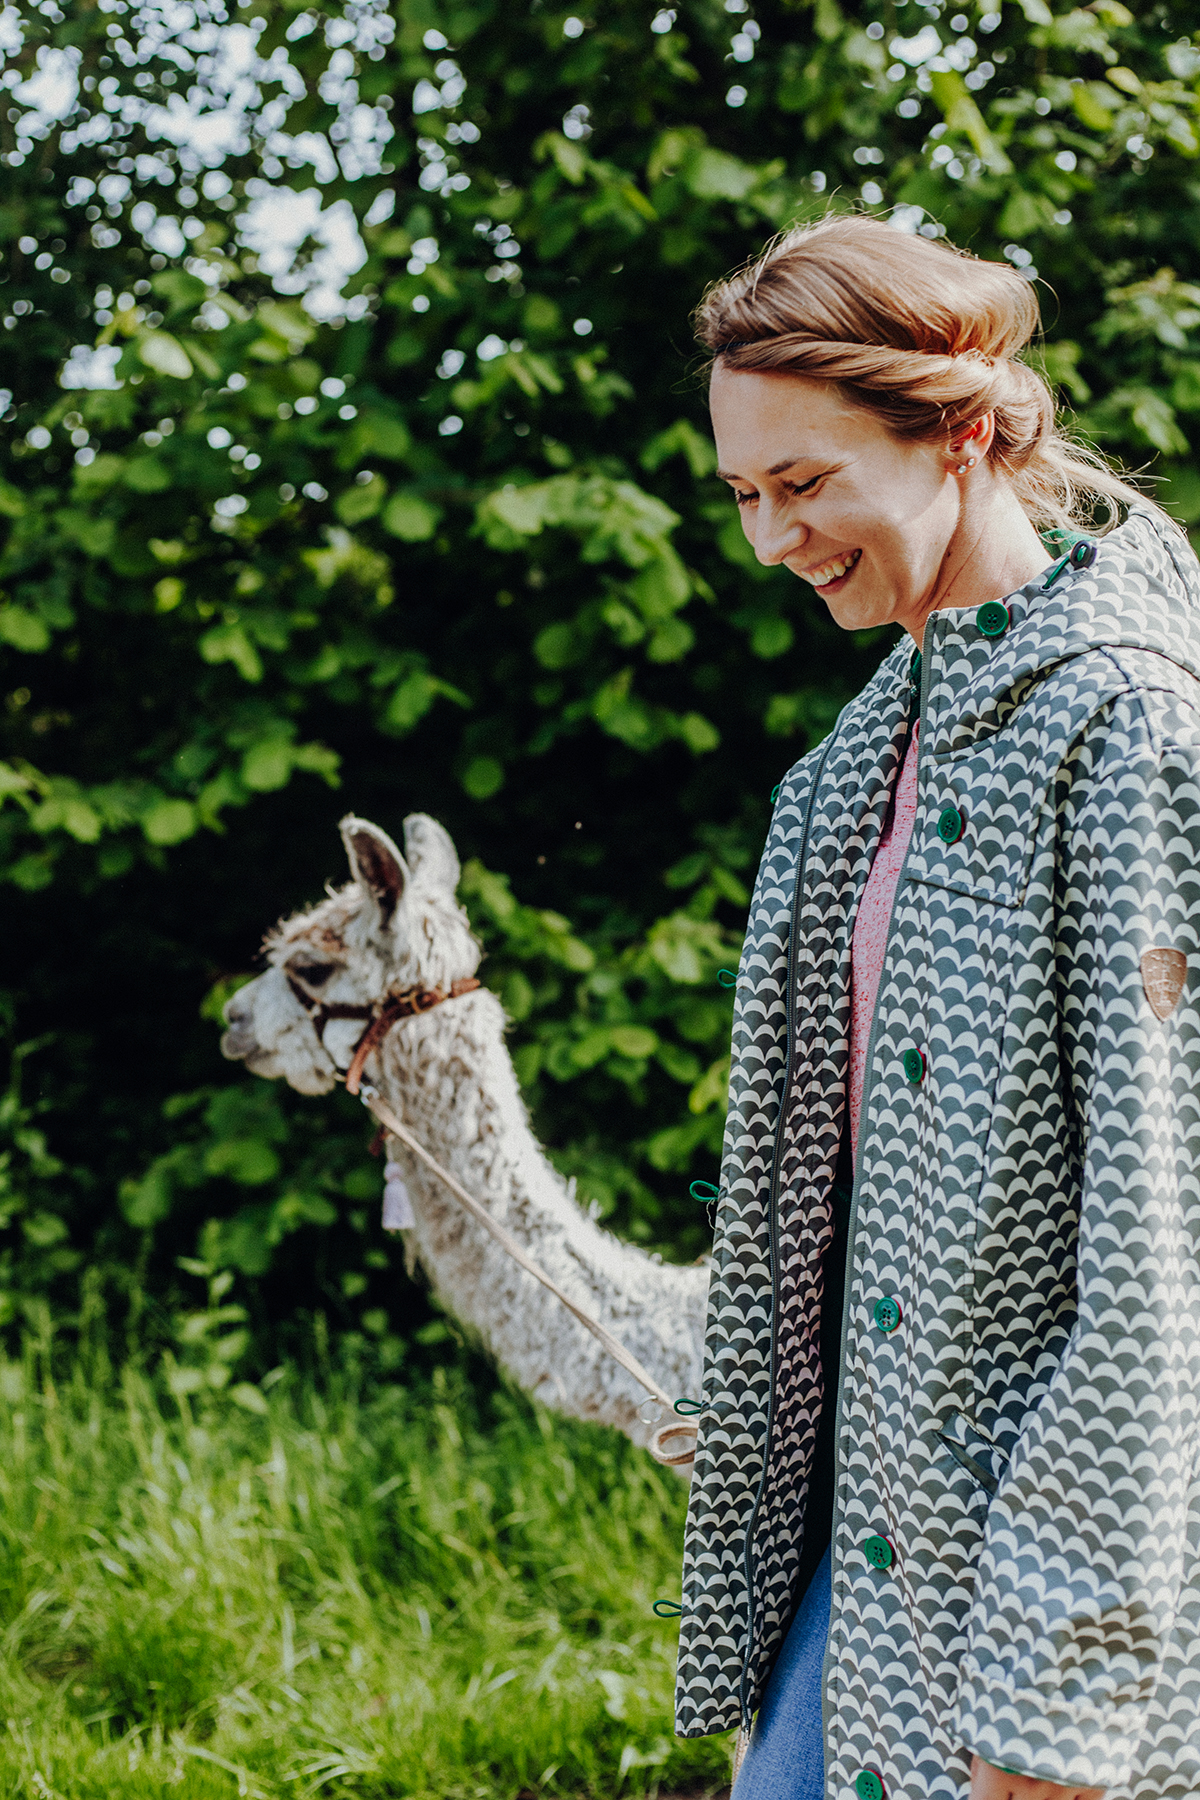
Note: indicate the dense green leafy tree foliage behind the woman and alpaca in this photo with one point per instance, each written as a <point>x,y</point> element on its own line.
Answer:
<point>452,541</point>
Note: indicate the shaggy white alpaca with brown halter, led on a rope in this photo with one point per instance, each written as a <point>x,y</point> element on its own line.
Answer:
<point>449,1077</point>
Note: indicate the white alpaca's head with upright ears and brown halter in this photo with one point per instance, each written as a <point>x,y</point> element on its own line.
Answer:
<point>395,926</point>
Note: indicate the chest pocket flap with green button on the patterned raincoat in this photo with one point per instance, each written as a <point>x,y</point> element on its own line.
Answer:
<point>978,823</point>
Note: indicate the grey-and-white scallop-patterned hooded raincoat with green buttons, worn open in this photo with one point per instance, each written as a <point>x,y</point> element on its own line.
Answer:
<point>1019,1396</point>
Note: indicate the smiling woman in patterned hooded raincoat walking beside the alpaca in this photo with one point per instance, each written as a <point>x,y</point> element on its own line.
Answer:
<point>953,1365</point>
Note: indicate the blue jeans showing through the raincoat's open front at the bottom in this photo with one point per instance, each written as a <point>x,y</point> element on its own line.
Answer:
<point>787,1756</point>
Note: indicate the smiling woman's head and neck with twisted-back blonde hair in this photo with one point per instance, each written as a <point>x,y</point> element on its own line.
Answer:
<point>859,372</point>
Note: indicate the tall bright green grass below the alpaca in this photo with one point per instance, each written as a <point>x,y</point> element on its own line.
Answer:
<point>381,1594</point>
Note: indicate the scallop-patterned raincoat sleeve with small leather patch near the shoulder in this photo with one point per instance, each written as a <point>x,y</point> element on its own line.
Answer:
<point>1091,1549</point>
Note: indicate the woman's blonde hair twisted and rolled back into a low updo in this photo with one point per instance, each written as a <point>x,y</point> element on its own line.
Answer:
<point>924,336</point>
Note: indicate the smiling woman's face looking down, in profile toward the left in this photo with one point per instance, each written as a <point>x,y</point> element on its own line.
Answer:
<point>828,492</point>
